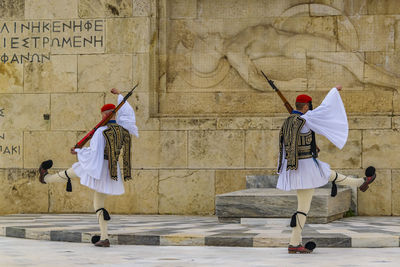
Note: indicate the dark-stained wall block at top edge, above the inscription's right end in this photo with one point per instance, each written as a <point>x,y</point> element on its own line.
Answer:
<point>104,8</point>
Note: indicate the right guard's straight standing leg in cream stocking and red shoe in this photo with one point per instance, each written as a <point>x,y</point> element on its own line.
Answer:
<point>304,197</point>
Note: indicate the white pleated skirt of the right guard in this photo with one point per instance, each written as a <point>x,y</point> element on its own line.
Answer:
<point>308,175</point>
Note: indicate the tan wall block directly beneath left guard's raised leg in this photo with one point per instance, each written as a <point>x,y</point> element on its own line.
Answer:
<point>61,201</point>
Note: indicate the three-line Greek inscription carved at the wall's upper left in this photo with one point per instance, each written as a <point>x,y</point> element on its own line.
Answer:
<point>23,41</point>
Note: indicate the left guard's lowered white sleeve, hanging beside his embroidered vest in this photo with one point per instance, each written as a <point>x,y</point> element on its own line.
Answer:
<point>90,159</point>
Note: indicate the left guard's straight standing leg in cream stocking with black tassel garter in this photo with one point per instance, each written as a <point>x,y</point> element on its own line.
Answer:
<point>103,217</point>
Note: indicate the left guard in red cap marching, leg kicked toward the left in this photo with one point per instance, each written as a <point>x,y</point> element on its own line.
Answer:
<point>97,165</point>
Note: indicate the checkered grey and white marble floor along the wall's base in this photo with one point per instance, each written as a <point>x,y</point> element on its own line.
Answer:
<point>167,230</point>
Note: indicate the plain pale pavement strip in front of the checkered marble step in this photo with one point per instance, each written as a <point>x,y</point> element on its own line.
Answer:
<point>25,252</point>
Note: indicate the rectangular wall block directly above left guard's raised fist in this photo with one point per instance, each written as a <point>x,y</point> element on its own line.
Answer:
<point>100,73</point>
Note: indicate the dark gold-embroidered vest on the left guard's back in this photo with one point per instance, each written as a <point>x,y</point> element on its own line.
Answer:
<point>117,137</point>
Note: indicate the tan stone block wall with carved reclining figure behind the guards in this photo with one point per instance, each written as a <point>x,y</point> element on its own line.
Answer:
<point>207,118</point>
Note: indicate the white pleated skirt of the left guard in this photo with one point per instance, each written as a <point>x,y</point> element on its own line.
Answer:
<point>105,184</point>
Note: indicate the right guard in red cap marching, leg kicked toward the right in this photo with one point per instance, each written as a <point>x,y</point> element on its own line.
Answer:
<point>298,166</point>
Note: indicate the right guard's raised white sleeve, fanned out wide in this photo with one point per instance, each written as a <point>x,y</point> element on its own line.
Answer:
<point>329,119</point>
